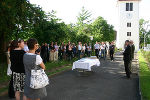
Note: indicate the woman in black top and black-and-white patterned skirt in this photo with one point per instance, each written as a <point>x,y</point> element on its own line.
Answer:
<point>17,67</point>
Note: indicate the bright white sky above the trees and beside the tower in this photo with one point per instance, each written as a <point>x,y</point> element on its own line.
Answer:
<point>68,10</point>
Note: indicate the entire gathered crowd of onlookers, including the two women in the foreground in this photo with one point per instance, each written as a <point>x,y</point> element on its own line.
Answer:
<point>23,55</point>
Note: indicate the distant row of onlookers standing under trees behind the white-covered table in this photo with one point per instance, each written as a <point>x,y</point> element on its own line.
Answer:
<point>55,52</point>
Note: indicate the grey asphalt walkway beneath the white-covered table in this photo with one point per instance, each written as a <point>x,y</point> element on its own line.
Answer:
<point>106,83</point>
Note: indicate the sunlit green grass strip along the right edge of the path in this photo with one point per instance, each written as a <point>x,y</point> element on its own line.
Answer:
<point>144,77</point>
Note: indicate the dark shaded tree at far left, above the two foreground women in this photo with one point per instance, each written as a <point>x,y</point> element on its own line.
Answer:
<point>12,15</point>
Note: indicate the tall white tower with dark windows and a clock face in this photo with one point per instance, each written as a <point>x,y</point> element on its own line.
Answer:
<point>128,22</point>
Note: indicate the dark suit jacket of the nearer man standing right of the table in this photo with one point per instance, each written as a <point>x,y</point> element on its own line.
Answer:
<point>127,54</point>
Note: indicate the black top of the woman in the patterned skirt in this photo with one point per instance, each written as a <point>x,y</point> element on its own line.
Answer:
<point>16,58</point>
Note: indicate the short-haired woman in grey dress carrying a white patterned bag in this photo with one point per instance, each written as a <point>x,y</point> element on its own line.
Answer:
<point>30,61</point>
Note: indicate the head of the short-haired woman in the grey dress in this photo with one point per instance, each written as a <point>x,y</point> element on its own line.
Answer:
<point>32,44</point>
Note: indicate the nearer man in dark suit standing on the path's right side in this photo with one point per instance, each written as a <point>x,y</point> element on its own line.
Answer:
<point>127,58</point>
